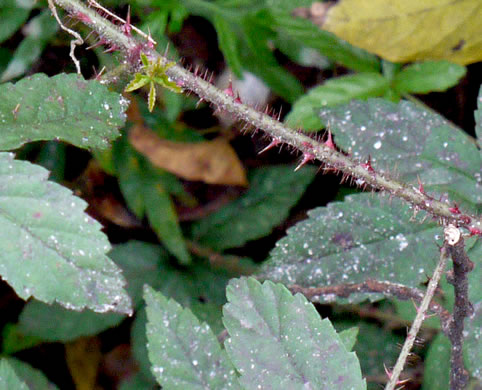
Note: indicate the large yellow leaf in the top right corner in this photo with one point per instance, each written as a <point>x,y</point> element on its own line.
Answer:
<point>407,30</point>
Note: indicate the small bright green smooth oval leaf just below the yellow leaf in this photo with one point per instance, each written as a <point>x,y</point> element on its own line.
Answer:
<point>428,76</point>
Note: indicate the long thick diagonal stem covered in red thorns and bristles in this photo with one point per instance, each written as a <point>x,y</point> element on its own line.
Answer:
<point>310,147</point>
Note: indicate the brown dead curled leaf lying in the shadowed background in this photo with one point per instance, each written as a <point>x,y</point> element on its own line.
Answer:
<point>213,162</point>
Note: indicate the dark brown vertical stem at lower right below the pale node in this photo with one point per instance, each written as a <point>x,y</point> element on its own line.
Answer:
<point>462,308</point>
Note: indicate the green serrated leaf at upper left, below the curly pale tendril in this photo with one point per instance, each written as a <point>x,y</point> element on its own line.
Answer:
<point>65,107</point>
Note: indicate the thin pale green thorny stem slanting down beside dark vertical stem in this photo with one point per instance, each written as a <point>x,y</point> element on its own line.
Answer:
<point>417,323</point>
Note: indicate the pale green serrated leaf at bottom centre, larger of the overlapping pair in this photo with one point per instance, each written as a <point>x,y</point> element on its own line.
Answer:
<point>271,353</point>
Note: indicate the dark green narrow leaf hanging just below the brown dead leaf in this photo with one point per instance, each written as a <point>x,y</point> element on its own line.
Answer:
<point>143,188</point>
